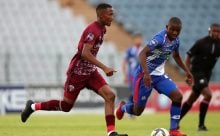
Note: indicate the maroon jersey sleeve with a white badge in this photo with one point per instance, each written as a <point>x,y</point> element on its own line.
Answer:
<point>90,36</point>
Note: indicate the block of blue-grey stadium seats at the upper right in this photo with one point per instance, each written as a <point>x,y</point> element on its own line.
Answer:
<point>149,17</point>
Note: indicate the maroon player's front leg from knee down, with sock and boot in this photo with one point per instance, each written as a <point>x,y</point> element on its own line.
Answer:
<point>109,98</point>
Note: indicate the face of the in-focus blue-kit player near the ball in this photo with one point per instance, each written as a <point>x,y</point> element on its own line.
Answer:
<point>173,31</point>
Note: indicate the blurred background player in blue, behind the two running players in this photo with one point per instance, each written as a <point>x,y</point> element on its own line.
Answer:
<point>131,62</point>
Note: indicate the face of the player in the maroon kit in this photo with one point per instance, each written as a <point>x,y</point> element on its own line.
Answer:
<point>107,16</point>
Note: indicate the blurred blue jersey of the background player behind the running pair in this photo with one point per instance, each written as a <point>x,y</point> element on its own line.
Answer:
<point>131,56</point>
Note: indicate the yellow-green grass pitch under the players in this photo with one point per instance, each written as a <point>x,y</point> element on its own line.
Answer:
<point>94,125</point>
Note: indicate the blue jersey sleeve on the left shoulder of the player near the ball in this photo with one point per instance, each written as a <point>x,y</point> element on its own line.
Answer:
<point>155,42</point>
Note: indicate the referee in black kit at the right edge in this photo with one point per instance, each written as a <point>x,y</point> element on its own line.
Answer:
<point>201,59</point>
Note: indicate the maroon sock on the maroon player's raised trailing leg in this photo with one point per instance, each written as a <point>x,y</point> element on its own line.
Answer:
<point>54,105</point>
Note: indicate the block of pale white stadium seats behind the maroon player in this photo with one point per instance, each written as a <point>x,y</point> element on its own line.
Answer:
<point>40,38</point>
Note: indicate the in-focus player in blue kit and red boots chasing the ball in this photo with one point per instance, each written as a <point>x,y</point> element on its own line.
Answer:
<point>150,74</point>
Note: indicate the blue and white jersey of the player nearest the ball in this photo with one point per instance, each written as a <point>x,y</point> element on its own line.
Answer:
<point>161,48</point>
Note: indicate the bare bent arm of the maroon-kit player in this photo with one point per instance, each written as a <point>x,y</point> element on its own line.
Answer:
<point>87,55</point>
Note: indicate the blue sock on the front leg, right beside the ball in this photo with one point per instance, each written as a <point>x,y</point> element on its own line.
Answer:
<point>175,115</point>
